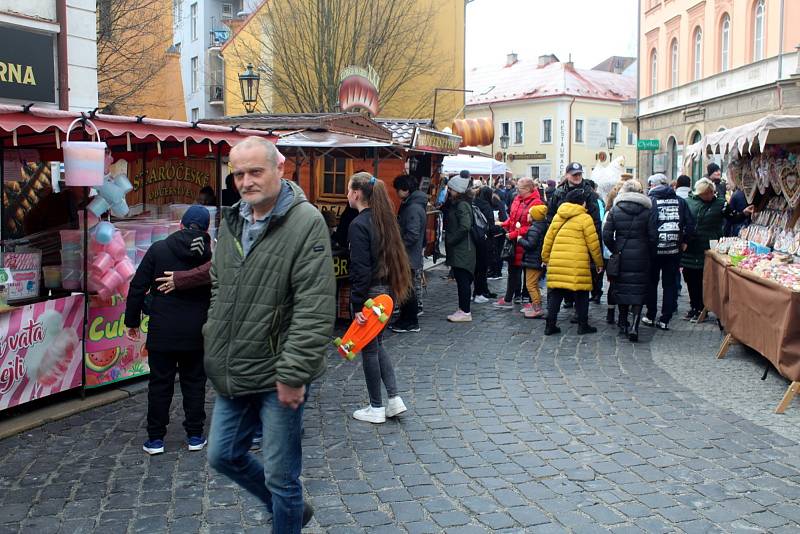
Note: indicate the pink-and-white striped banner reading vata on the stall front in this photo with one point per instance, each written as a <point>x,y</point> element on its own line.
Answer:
<point>40,350</point>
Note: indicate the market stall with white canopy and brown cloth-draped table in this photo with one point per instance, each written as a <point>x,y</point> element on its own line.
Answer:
<point>752,281</point>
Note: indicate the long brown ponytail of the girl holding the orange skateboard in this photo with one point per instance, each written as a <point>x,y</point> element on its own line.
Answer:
<point>393,264</point>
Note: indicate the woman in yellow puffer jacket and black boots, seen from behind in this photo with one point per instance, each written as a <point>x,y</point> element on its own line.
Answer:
<point>570,247</point>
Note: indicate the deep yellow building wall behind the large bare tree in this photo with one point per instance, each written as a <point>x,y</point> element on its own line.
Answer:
<point>443,32</point>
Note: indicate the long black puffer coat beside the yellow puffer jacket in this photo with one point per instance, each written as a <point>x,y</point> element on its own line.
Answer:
<point>627,230</point>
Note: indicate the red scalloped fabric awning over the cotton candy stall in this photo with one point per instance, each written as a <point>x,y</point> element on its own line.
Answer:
<point>22,126</point>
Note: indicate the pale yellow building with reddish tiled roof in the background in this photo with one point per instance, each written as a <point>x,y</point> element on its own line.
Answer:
<point>553,113</point>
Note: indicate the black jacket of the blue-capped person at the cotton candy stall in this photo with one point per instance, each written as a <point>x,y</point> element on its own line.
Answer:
<point>177,318</point>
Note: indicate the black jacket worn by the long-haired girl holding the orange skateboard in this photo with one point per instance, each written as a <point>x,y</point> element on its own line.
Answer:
<point>364,269</point>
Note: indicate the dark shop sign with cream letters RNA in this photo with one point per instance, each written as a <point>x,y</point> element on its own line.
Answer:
<point>27,65</point>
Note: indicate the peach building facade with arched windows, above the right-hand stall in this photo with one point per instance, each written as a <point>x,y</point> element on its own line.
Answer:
<point>709,65</point>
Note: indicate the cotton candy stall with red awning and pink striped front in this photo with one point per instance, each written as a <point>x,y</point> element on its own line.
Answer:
<point>70,247</point>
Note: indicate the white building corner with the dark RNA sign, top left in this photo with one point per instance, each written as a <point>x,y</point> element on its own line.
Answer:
<point>49,53</point>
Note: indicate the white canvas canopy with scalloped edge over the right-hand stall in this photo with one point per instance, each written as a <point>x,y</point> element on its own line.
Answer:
<point>772,129</point>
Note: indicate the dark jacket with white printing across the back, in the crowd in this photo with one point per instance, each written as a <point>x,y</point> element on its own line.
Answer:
<point>671,220</point>
